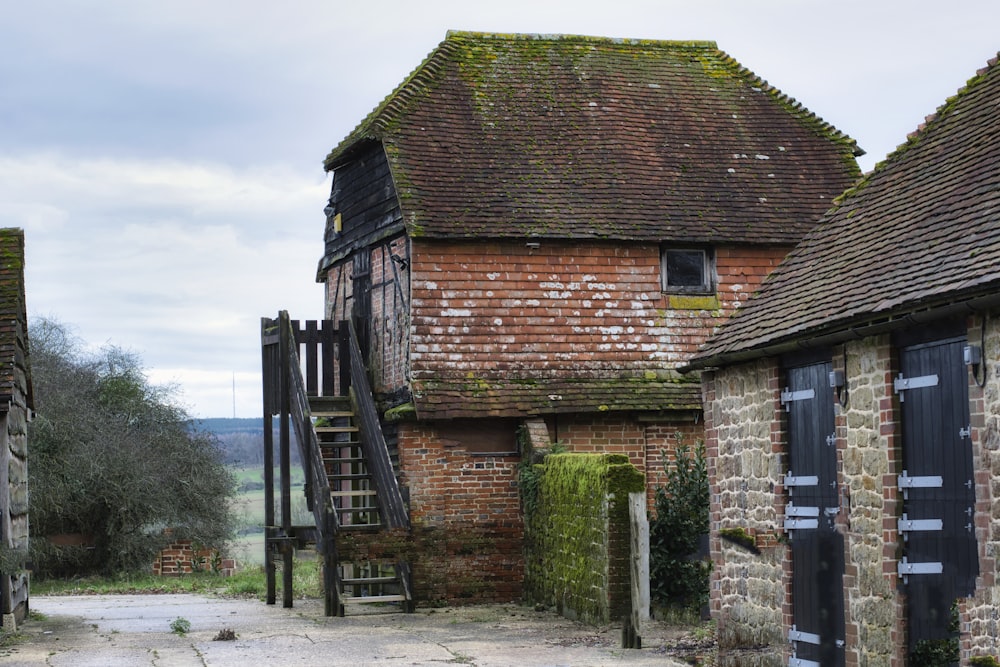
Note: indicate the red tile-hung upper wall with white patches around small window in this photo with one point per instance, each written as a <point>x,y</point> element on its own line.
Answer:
<point>564,305</point>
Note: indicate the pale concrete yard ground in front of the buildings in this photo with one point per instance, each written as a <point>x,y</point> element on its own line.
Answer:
<point>134,630</point>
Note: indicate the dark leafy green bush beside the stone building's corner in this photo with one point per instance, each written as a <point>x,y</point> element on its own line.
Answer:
<point>677,577</point>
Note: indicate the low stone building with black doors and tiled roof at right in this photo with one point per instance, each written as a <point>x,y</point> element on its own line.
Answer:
<point>853,418</point>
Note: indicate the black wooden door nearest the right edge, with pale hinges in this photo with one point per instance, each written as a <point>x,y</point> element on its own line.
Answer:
<point>938,489</point>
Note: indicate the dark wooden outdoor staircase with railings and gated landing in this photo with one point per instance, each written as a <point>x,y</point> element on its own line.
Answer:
<point>315,382</point>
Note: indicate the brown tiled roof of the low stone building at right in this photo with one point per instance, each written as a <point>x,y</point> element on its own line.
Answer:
<point>919,234</point>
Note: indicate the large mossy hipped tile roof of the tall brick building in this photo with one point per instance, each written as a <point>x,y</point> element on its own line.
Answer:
<point>577,137</point>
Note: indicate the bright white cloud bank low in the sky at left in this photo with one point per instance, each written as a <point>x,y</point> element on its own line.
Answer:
<point>175,261</point>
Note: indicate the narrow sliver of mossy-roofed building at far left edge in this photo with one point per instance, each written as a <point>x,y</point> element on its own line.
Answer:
<point>15,410</point>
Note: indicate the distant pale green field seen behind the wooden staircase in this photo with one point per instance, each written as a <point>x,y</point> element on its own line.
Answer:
<point>249,545</point>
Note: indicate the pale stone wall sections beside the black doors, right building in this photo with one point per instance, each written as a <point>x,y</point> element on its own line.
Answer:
<point>751,593</point>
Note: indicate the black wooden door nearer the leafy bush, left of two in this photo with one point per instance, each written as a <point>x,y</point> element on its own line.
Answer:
<point>811,511</point>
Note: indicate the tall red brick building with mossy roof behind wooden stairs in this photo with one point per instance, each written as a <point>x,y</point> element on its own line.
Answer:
<point>543,229</point>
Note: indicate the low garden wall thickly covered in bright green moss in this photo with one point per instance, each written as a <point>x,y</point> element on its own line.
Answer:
<point>577,534</point>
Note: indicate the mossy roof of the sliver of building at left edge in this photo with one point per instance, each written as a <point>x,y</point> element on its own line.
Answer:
<point>13,317</point>
